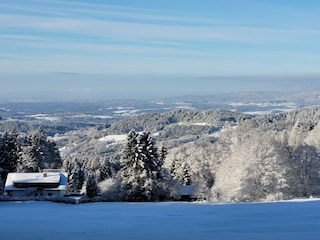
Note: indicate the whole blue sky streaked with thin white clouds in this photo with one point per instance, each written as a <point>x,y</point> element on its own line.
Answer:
<point>155,48</point>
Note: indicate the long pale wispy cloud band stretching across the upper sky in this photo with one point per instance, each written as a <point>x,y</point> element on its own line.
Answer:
<point>160,32</point>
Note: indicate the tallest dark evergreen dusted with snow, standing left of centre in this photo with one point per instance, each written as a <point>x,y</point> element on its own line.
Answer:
<point>140,168</point>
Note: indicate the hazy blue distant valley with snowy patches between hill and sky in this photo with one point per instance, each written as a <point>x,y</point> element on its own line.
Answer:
<point>60,117</point>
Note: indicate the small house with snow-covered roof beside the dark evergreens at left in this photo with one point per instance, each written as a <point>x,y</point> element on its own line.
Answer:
<point>46,184</point>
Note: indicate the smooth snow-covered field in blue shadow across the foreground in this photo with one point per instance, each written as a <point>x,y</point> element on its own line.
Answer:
<point>46,220</point>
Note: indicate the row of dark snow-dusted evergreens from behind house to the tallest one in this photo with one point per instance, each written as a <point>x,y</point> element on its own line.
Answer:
<point>138,176</point>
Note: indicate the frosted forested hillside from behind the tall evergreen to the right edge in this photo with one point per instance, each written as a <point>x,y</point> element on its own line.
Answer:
<point>228,156</point>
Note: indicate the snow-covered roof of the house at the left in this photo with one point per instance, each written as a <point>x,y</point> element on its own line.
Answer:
<point>47,180</point>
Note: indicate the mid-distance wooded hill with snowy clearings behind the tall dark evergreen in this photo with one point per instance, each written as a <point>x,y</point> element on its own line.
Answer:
<point>172,129</point>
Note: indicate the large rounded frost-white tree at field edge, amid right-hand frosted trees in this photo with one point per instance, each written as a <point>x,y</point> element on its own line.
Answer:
<point>265,177</point>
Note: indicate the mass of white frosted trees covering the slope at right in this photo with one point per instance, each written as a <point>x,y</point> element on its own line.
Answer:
<point>269,157</point>
